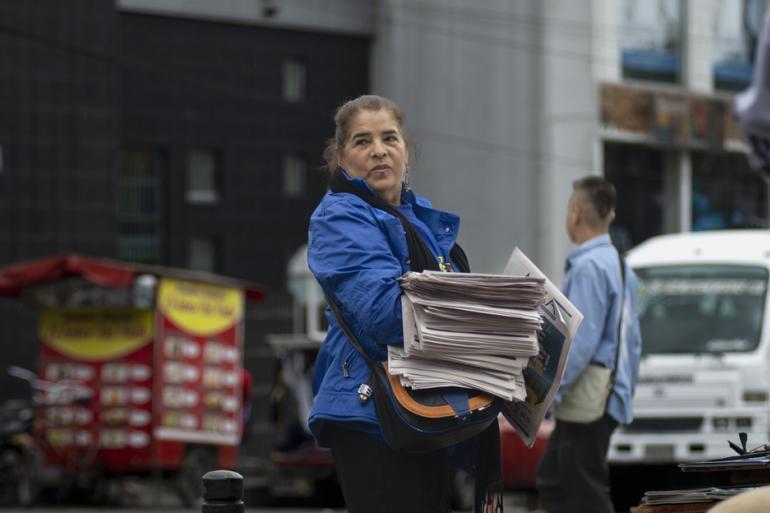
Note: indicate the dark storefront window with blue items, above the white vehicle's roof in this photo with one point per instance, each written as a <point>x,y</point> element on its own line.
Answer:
<point>726,193</point>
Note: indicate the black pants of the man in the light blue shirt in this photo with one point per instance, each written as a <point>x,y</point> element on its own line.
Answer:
<point>573,475</point>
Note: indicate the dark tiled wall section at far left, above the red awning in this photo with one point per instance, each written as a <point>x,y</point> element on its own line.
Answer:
<point>58,127</point>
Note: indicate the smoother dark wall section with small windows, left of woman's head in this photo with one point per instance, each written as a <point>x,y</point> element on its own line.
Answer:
<point>192,83</point>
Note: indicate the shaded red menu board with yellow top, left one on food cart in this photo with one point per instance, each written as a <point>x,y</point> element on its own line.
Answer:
<point>104,355</point>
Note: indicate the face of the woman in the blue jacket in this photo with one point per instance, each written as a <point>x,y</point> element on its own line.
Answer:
<point>376,151</point>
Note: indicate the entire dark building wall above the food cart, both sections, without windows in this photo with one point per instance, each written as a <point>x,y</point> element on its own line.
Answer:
<point>79,81</point>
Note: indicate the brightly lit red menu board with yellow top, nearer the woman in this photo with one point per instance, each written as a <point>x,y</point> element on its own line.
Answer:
<point>198,357</point>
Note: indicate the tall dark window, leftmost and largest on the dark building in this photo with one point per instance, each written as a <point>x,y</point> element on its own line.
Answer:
<point>139,204</point>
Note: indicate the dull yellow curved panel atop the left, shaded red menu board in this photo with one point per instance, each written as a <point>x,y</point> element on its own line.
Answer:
<point>96,334</point>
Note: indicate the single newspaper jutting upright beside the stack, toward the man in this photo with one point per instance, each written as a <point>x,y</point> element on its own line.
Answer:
<point>544,372</point>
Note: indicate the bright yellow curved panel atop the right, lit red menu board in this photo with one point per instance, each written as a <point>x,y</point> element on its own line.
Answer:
<point>200,309</point>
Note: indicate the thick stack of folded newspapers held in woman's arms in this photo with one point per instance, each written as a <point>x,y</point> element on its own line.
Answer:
<point>468,330</point>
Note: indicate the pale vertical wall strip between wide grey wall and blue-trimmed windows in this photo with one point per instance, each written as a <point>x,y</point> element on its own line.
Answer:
<point>570,120</point>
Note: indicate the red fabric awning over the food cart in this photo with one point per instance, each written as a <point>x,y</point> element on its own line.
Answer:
<point>108,273</point>
